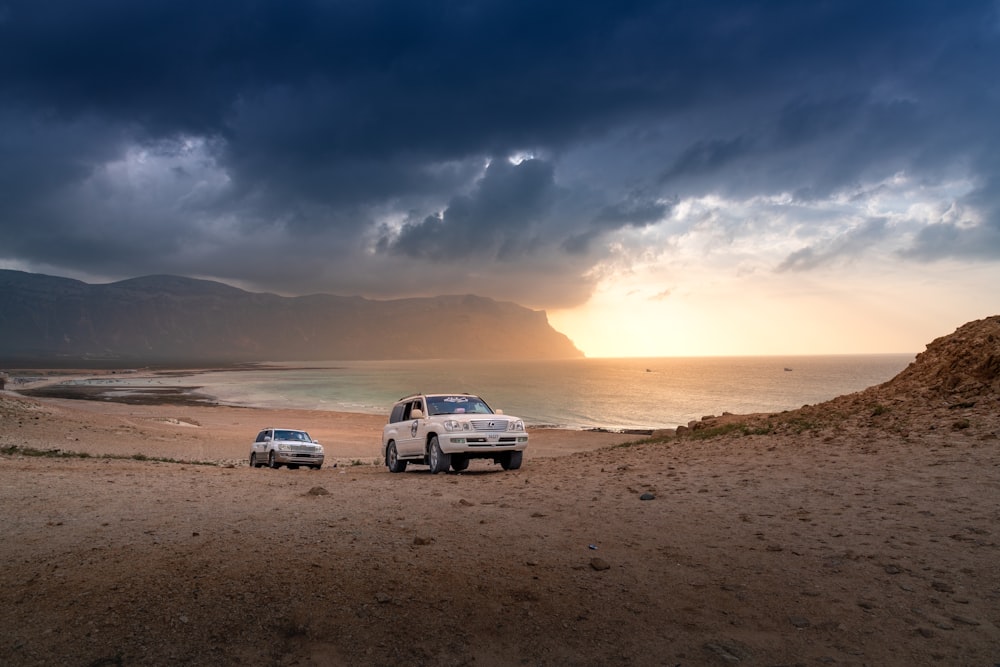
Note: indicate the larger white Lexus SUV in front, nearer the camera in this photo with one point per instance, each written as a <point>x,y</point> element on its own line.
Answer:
<point>448,430</point>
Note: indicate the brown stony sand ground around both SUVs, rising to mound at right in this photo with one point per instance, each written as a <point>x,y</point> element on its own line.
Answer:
<point>858,532</point>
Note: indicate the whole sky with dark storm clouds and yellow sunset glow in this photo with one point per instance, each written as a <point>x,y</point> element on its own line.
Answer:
<point>672,178</point>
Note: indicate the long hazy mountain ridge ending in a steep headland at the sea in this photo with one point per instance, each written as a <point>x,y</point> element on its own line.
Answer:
<point>170,319</point>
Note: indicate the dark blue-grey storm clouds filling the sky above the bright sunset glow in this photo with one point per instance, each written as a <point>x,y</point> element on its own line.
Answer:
<point>356,133</point>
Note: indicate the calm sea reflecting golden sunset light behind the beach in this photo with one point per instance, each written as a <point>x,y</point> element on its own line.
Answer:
<point>623,394</point>
